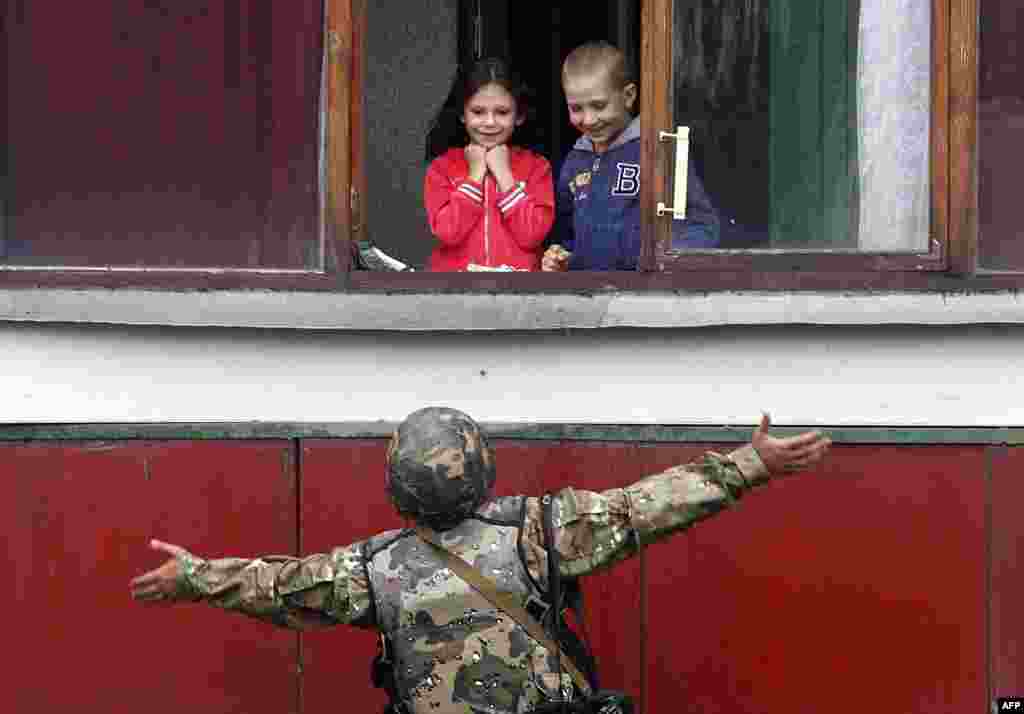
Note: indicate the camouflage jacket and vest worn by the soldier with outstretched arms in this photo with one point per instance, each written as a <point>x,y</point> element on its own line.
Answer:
<point>453,651</point>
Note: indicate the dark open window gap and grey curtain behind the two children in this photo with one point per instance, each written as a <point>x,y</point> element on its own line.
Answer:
<point>410,72</point>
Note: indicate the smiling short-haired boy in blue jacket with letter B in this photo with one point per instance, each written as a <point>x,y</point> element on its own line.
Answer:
<point>599,193</point>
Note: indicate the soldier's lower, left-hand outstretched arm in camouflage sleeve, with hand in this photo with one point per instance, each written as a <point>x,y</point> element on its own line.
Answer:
<point>297,594</point>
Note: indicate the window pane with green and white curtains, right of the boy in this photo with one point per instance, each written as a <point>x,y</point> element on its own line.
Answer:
<point>809,123</point>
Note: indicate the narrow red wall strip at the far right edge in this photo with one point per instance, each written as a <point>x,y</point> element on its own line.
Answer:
<point>1008,578</point>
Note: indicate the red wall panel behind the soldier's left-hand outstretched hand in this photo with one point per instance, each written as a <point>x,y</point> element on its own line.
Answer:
<point>79,518</point>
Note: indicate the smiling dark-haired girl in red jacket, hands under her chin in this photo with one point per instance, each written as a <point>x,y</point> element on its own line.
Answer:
<point>489,203</point>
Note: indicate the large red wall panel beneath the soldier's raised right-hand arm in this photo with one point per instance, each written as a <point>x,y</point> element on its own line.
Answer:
<point>859,587</point>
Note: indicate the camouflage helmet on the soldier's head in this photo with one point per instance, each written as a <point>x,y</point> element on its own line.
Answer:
<point>440,469</point>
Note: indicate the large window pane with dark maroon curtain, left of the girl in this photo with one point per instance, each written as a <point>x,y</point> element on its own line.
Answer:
<point>162,135</point>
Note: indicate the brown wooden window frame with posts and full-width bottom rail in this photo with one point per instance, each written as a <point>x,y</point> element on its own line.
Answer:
<point>951,266</point>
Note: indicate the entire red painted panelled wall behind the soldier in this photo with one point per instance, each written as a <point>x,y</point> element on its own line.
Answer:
<point>860,587</point>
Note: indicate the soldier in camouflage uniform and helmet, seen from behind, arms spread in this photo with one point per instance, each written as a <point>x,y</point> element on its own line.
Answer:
<point>453,650</point>
